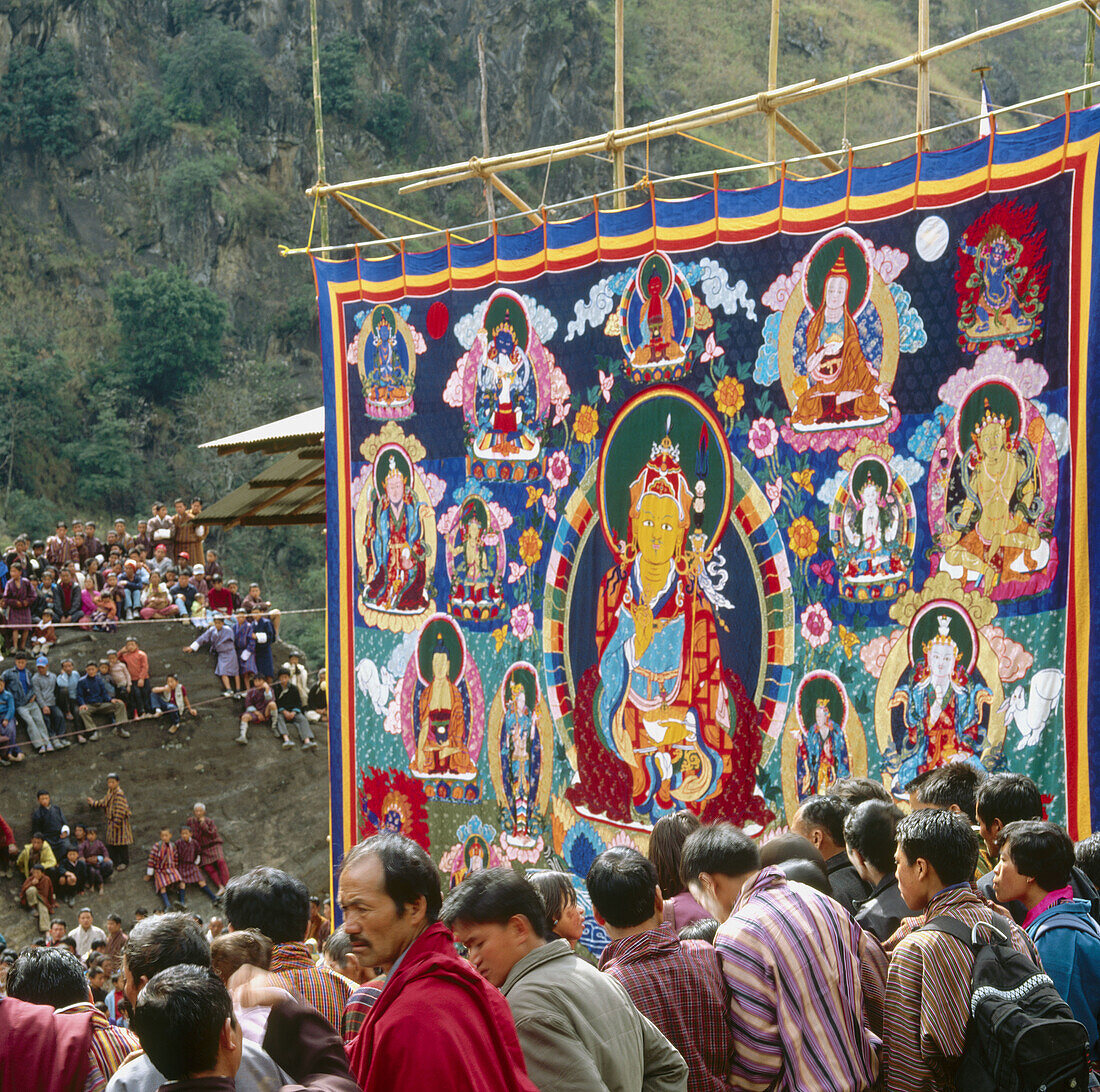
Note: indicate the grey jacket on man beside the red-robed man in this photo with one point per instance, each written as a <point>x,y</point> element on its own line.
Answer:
<point>580,1031</point>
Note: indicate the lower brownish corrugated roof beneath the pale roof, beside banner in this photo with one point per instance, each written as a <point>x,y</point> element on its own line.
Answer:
<point>290,491</point>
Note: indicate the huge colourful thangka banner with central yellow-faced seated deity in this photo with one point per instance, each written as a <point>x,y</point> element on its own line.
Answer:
<point>794,486</point>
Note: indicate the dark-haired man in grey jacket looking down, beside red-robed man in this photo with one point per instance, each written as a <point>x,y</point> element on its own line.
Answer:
<point>577,1028</point>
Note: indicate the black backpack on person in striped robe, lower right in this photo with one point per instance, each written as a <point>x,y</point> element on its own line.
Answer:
<point>1021,1036</point>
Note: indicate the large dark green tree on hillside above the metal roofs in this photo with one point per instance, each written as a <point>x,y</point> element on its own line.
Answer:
<point>171,333</point>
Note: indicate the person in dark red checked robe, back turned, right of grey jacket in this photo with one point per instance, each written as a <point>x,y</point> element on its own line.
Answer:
<point>676,985</point>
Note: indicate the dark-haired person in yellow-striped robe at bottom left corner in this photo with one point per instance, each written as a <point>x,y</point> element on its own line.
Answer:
<point>53,977</point>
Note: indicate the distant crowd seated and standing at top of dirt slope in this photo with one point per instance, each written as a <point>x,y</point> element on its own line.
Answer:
<point>79,582</point>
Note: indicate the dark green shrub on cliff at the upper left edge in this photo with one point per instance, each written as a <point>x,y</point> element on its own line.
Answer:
<point>42,107</point>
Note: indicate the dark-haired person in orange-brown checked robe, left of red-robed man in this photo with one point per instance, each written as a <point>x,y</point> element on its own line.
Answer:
<point>278,906</point>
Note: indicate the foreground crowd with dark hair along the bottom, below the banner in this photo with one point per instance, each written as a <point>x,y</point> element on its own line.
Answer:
<point>843,954</point>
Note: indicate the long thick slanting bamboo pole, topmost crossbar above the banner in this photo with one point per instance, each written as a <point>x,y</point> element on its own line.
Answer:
<point>700,118</point>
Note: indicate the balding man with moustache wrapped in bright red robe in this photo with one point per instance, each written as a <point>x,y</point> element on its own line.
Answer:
<point>437,1023</point>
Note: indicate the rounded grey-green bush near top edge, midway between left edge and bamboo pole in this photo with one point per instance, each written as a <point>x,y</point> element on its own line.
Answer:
<point>214,71</point>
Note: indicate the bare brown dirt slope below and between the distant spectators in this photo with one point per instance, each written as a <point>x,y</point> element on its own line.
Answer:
<point>271,806</point>
